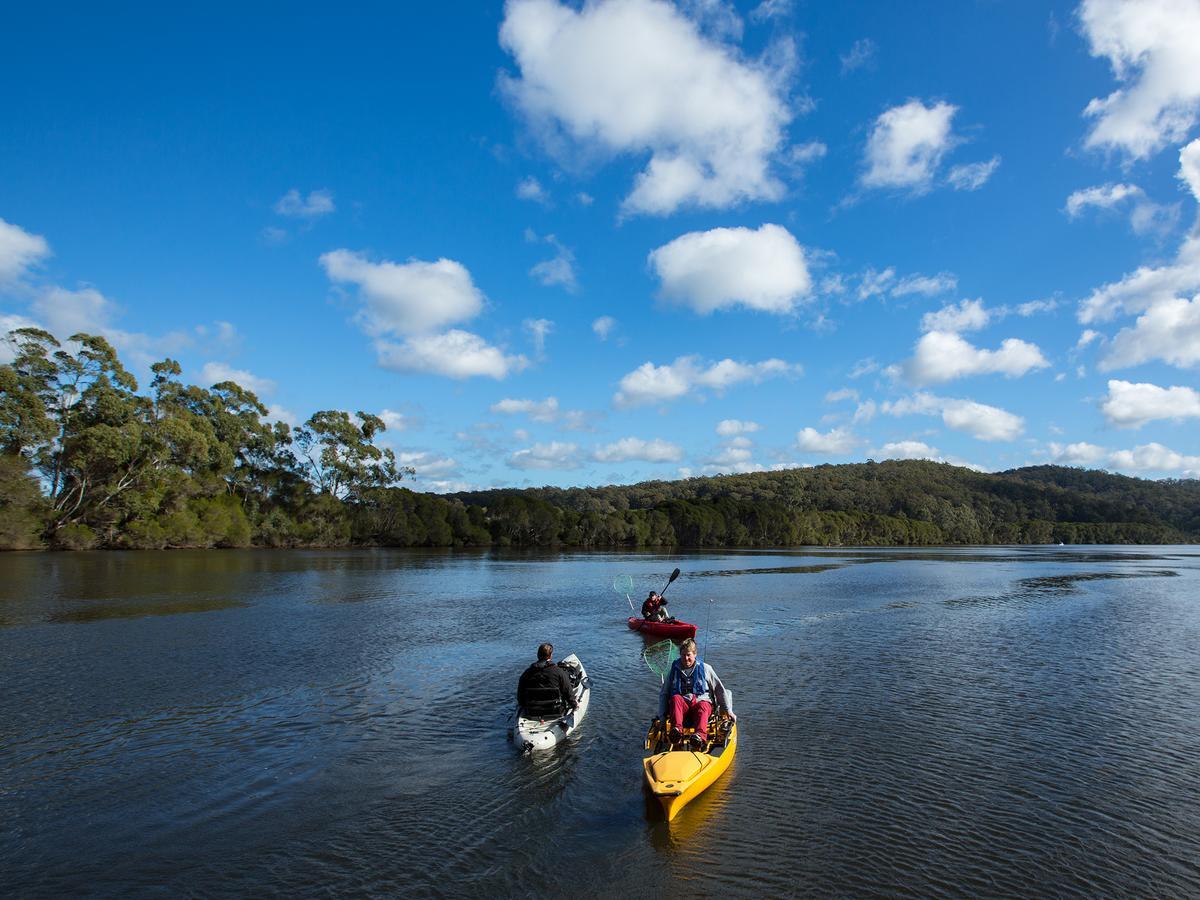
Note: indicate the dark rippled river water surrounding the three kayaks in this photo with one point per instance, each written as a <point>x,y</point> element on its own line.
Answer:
<point>982,722</point>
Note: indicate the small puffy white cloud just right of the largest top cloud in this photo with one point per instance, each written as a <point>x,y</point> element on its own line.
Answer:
<point>908,145</point>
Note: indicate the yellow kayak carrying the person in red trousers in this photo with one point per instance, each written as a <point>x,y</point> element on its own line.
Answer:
<point>676,777</point>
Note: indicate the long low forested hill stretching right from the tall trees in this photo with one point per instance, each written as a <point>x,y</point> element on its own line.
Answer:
<point>889,503</point>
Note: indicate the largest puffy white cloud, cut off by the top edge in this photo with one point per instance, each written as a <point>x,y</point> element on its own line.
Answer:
<point>637,77</point>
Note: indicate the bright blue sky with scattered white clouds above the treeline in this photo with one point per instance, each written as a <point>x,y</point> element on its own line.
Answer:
<point>580,244</point>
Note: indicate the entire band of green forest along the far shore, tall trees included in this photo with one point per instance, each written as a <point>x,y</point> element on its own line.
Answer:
<point>87,461</point>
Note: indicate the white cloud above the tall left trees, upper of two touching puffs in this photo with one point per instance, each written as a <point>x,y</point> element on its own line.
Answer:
<point>406,298</point>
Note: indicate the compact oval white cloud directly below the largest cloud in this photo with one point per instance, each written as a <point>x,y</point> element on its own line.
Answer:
<point>712,271</point>
